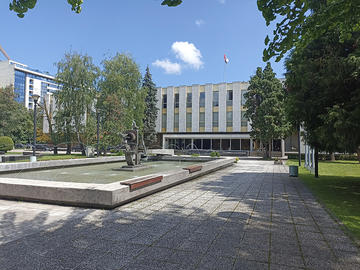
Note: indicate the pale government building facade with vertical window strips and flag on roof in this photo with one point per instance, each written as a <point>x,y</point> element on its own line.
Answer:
<point>208,117</point>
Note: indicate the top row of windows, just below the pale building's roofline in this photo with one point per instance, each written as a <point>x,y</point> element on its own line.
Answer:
<point>215,101</point>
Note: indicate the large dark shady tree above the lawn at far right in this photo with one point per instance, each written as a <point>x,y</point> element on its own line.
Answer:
<point>324,92</point>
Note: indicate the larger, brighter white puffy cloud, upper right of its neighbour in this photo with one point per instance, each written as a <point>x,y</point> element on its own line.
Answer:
<point>188,53</point>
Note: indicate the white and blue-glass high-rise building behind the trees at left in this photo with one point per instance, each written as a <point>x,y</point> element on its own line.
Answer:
<point>26,82</point>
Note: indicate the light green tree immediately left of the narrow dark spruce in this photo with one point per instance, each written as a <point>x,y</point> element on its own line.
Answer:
<point>121,98</point>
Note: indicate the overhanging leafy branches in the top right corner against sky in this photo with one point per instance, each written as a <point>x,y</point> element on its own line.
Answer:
<point>300,22</point>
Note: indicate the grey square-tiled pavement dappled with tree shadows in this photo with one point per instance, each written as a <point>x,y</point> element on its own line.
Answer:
<point>249,216</point>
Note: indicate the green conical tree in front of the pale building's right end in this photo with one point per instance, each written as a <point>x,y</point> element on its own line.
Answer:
<point>265,104</point>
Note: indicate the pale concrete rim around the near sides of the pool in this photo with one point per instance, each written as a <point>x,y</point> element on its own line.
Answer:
<point>105,196</point>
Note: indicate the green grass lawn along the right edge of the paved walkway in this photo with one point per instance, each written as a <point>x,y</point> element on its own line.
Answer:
<point>338,188</point>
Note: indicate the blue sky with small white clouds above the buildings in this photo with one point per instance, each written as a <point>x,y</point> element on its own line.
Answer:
<point>182,45</point>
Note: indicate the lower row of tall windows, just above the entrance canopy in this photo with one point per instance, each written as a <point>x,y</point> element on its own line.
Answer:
<point>215,120</point>
